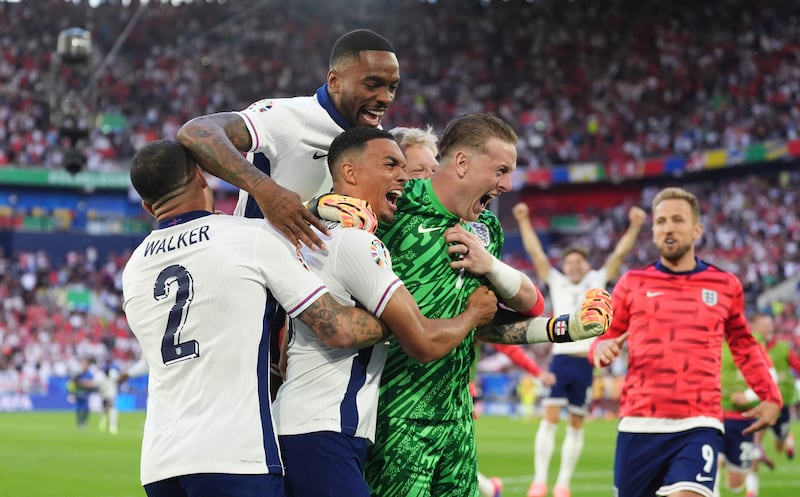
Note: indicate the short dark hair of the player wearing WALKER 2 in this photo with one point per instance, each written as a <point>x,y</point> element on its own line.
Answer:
<point>160,168</point>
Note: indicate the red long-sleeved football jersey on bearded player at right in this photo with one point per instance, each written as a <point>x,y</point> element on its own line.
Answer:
<point>677,322</point>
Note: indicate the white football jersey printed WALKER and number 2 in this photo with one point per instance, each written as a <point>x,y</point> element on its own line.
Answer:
<point>195,294</point>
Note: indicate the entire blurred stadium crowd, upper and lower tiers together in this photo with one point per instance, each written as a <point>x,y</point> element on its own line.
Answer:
<point>681,79</point>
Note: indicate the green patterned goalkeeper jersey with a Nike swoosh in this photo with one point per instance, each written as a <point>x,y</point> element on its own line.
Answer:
<point>436,391</point>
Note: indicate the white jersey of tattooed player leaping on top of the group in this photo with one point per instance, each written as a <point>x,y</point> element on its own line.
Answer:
<point>294,135</point>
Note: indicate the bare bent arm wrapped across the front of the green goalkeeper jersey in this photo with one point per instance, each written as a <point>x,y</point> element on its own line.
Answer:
<point>426,340</point>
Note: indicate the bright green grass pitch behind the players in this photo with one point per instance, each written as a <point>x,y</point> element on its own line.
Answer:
<point>44,455</point>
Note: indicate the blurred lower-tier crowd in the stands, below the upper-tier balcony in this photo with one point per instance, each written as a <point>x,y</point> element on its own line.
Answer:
<point>753,231</point>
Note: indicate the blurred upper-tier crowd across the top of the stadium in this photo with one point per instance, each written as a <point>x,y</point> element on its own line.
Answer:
<point>680,78</point>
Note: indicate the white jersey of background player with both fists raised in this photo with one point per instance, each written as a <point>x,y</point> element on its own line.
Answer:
<point>566,296</point>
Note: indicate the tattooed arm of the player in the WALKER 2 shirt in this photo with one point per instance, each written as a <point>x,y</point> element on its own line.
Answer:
<point>343,327</point>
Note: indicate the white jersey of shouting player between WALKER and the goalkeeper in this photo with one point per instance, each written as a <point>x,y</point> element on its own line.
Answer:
<point>328,389</point>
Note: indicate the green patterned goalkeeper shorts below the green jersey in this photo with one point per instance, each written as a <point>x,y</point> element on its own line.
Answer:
<point>417,458</point>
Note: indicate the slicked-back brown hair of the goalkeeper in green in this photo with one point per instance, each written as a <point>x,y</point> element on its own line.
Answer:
<point>474,130</point>
